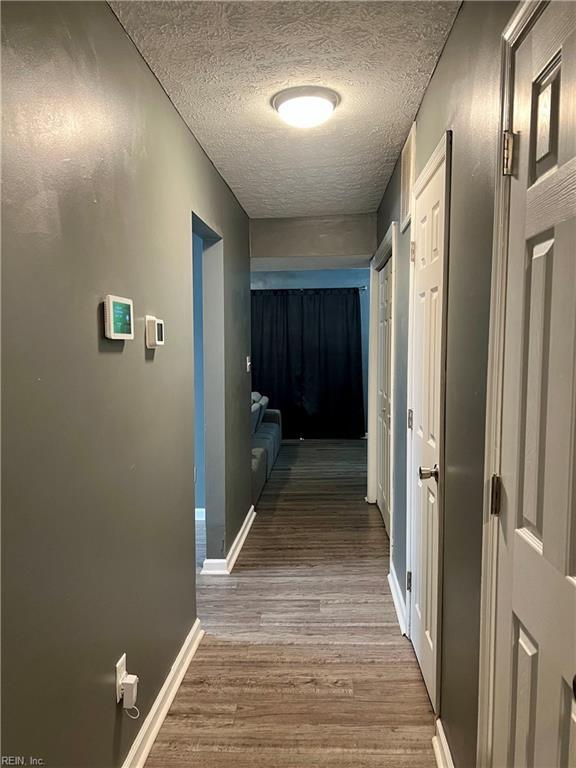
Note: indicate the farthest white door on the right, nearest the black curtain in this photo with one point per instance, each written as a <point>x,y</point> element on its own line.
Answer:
<point>384,391</point>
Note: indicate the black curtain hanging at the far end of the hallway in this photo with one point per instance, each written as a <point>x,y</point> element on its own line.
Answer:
<point>307,357</point>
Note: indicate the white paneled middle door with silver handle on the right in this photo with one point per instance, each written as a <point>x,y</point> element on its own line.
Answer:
<point>426,350</point>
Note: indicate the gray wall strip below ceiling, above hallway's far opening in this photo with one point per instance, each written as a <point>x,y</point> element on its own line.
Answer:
<point>308,243</point>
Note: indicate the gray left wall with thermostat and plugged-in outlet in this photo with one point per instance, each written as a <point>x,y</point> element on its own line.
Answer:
<point>100,180</point>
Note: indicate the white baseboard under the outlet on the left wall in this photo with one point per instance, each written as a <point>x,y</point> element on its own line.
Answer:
<point>143,742</point>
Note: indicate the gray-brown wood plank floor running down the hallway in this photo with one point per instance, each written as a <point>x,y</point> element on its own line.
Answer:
<point>303,664</point>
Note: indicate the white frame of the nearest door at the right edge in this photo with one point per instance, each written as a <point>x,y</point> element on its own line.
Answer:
<point>512,36</point>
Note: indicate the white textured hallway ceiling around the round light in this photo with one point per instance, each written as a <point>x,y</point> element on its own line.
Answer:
<point>221,63</point>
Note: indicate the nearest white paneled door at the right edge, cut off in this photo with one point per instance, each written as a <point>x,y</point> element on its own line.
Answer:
<point>535,663</point>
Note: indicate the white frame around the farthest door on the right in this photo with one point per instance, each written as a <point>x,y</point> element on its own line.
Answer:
<point>387,250</point>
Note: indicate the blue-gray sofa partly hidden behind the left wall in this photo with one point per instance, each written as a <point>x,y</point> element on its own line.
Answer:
<point>266,442</point>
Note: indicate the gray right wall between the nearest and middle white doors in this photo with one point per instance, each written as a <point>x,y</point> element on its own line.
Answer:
<point>463,95</point>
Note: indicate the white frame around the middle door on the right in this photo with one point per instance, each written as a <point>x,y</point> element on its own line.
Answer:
<point>442,153</point>
